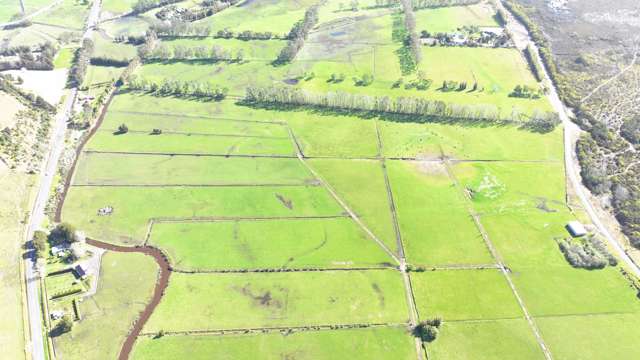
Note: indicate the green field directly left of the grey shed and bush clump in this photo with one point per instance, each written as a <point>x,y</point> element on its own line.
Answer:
<point>528,238</point>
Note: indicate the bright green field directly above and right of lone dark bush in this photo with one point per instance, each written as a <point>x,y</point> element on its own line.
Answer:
<point>464,295</point>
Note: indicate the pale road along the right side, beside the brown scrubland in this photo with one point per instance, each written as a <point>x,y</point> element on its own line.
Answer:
<point>571,130</point>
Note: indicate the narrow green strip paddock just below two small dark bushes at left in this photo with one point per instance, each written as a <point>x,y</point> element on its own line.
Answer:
<point>190,144</point>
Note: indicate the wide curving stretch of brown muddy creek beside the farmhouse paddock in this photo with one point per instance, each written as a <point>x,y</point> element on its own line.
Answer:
<point>158,291</point>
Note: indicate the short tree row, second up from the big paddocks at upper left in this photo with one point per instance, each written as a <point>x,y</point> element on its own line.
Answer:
<point>179,52</point>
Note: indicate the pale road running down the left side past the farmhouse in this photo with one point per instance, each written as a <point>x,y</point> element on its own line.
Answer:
<point>47,173</point>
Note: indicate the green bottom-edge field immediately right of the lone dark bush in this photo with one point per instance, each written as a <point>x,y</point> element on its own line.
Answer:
<point>486,340</point>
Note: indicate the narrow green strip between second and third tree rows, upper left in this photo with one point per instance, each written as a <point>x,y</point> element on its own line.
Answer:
<point>256,50</point>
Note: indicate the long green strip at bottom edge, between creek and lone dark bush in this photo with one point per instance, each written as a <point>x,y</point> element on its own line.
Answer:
<point>365,344</point>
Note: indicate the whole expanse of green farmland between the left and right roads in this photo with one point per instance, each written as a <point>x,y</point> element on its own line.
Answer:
<point>280,179</point>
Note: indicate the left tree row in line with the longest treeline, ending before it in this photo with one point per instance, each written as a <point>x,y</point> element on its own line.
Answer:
<point>178,88</point>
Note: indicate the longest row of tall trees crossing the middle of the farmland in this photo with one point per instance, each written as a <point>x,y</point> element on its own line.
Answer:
<point>280,95</point>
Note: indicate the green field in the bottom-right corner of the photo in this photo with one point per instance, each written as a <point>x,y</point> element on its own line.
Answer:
<point>609,336</point>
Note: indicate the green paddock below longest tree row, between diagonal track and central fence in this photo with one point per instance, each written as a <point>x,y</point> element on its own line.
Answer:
<point>337,136</point>
